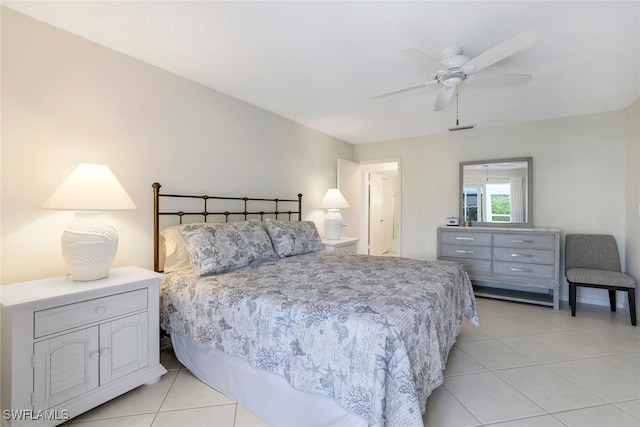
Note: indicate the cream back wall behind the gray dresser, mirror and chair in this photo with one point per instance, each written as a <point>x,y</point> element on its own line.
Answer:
<point>578,176</point>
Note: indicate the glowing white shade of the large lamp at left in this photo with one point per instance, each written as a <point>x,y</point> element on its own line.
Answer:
<point>90,187</point>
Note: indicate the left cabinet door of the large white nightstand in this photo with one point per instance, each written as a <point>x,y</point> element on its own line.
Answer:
<point>65,367</point>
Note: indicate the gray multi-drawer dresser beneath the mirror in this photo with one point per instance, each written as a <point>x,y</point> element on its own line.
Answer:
<point>528,258</point>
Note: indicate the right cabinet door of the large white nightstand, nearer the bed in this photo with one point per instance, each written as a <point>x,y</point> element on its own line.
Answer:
<point>123,347</point>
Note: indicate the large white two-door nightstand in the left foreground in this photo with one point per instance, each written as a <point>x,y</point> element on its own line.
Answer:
<point>68,346</point>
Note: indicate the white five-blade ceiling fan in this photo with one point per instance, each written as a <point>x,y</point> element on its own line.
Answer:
<point>454,68</point>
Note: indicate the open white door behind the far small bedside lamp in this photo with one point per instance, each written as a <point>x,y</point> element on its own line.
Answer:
<point>350,185</point>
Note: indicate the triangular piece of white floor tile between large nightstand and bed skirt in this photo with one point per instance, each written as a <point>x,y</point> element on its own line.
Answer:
<point>189,392</point>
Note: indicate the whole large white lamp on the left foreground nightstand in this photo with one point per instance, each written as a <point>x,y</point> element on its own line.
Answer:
<point>89,246</point>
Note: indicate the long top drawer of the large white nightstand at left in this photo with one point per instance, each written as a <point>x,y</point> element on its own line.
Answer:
<point>82,313</point>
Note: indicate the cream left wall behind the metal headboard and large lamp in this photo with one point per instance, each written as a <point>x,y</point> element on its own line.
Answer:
<point>66,100</point>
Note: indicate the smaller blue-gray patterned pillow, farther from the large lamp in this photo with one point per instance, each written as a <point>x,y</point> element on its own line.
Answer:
<point>293,237</point>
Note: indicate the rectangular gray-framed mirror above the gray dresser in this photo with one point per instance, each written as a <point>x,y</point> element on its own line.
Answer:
<point>497,193</point>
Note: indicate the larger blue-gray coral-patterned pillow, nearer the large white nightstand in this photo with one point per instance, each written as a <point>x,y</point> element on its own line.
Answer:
<point>216,248</point>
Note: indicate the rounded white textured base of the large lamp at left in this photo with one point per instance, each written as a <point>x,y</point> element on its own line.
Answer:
<point>89,248</point>
